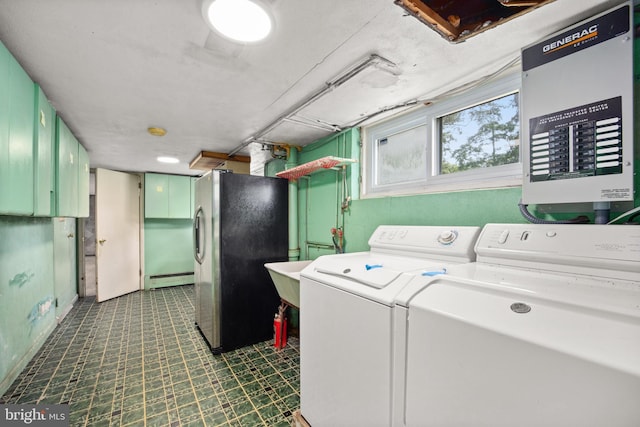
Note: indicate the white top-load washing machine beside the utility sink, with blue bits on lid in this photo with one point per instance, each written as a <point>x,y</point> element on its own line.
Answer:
<point>346,319</point>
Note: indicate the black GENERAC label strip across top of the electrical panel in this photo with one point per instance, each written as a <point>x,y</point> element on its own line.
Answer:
<point>578,38</point>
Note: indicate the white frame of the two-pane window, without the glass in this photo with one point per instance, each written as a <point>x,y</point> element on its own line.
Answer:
<point>483,178</point>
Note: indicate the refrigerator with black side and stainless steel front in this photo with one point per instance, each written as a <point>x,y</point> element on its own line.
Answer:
<point>240,223</point>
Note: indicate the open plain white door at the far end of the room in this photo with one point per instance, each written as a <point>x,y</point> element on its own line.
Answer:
<point>117,234</point>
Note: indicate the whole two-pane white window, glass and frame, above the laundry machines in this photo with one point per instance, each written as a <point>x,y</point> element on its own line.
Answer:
<point>468,141</point>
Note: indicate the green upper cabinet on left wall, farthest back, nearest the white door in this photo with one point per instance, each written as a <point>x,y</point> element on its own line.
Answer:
<point>72,174</point>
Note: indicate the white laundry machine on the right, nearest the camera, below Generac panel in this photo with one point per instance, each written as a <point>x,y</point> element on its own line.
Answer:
<point>543,330</point>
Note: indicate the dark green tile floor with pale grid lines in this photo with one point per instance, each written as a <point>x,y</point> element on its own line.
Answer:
<point>138,360</point>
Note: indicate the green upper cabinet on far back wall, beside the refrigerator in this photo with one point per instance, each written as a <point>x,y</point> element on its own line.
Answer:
<point>167,196</point>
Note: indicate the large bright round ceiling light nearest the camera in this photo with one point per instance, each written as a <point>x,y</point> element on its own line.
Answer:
<point>244,21</point>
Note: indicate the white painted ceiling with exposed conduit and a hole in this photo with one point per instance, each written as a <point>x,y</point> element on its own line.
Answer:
<point>113,68</point>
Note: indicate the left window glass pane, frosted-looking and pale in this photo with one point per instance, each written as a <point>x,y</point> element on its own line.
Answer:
<point>402,157</point>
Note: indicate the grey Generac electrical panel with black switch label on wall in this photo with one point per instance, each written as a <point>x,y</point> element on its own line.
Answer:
<point>577,112</point>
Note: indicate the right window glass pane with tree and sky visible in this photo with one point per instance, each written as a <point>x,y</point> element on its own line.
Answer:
<point>481,136</point>
